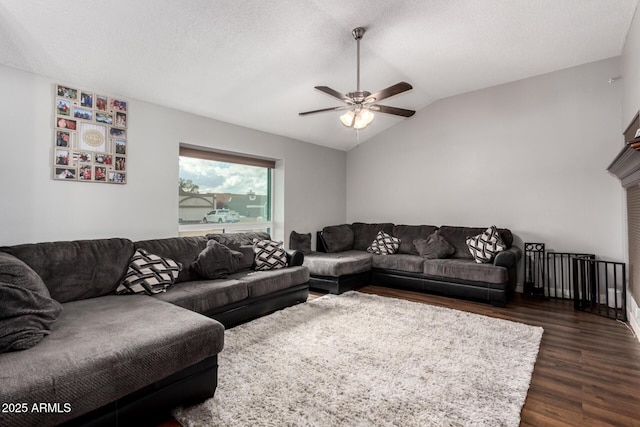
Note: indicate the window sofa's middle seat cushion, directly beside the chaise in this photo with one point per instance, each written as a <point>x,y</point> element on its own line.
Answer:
<point>205,296</point>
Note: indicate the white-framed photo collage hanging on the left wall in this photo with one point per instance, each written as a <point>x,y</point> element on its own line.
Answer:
<point>90,136</point>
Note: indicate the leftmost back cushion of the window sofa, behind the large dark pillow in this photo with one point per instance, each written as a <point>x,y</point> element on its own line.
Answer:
<point>78,269</point>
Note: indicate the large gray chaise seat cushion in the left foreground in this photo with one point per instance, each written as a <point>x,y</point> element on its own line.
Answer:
<point>102,349</point>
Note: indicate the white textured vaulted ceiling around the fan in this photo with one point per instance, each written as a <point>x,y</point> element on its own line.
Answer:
<point>255,63</point>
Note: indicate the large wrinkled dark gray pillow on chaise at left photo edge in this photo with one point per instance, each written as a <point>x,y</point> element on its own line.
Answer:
<point>26,307</point>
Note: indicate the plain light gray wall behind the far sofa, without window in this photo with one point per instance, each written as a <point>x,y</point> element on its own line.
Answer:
<point>529,155</point>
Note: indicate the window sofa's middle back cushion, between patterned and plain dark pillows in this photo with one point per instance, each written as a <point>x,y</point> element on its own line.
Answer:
<point>183,250</point>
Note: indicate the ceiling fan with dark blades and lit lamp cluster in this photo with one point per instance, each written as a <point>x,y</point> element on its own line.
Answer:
<point>361,103</point>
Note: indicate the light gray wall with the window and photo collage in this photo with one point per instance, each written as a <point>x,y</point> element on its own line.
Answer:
<point>310,189</point>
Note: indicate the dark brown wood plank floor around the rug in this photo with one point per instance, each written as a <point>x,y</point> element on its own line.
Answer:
<point>588,369</point>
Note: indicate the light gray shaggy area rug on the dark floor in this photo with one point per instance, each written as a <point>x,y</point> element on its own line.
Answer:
<point>365,360</point>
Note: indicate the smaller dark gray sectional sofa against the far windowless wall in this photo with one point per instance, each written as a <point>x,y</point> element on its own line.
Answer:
<point>341,262</point>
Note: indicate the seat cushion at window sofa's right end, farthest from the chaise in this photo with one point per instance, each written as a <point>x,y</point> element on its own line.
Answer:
<point>261,283</point>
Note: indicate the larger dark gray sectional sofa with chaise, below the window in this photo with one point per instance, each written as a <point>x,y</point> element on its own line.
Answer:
<point>117,359</point>
